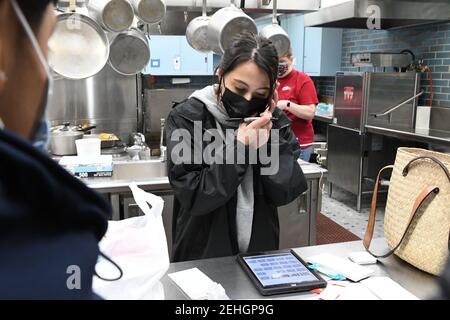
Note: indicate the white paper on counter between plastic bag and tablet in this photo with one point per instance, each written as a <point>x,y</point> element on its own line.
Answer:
<point>197,285</point>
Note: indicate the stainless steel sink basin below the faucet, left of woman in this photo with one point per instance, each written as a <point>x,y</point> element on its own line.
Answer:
<point>139,170</point>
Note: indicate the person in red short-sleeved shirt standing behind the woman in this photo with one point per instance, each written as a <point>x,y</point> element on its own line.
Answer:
<point>298,98</point>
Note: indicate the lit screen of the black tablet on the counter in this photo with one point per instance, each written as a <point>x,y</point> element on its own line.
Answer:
<point>279,269</point>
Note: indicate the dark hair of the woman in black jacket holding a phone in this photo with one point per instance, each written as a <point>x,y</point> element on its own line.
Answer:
<point>249,47</point>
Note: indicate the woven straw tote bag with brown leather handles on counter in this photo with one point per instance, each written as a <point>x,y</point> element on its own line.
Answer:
<point>417,216</point>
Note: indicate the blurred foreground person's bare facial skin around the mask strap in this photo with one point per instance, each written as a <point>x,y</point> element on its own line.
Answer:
<point>24,90</point>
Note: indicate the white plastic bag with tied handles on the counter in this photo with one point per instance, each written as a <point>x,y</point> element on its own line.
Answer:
<point>139,246</point>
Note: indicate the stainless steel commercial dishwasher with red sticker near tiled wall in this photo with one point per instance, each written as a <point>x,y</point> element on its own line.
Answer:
<point>355,155</point>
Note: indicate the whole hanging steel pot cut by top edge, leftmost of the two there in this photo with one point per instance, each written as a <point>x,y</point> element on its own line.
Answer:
<point>113,15</point>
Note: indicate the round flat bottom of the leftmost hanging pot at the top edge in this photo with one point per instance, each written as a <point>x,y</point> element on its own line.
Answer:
<point>118,15</point>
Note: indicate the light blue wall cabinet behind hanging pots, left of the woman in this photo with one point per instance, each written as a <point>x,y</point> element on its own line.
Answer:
<point>172,55</point>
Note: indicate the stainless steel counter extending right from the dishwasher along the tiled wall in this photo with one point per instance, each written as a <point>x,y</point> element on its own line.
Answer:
<point>421,135</point>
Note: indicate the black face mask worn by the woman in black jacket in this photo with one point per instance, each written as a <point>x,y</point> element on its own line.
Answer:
<point>238,107</point>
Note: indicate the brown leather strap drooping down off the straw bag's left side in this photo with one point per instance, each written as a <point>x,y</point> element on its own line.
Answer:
<point>421,198</point>
